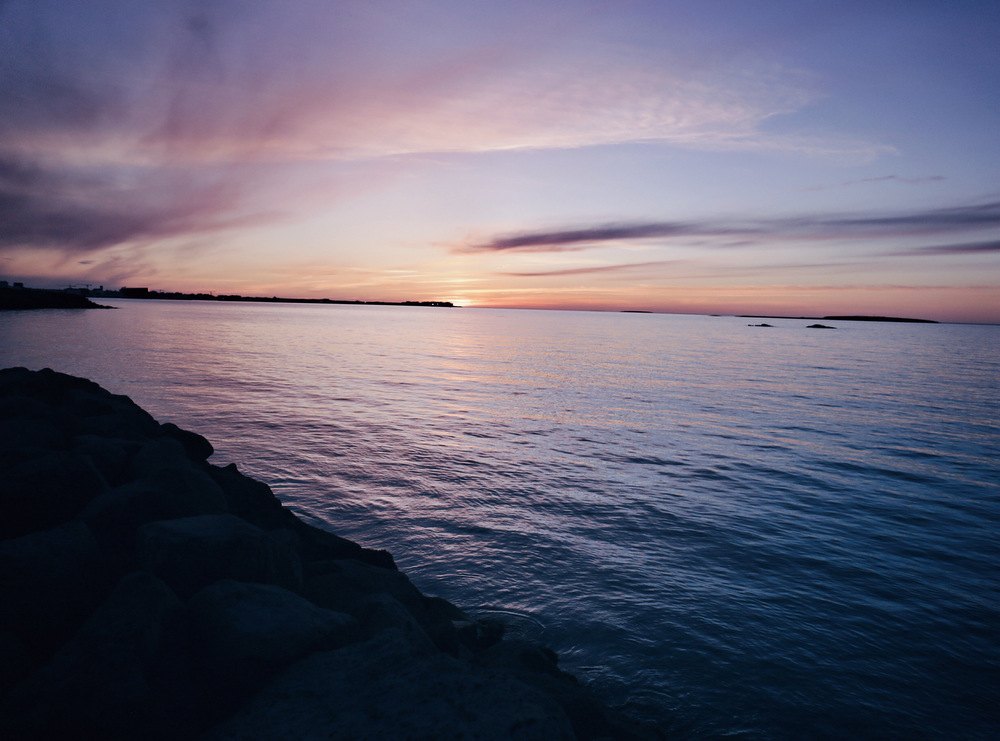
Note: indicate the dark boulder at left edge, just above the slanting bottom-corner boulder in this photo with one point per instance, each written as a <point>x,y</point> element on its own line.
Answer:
<point>50,582</point>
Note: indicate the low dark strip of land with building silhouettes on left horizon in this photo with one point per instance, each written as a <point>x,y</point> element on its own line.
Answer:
<point>19,297</point>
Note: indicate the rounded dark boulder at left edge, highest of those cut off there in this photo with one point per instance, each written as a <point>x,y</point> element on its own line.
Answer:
<point>46,491</point>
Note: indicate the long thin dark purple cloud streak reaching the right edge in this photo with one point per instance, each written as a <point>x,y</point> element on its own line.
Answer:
<point>958,219</point>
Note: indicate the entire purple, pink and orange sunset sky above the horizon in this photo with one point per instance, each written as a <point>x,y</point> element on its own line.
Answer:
<point>758,157</point>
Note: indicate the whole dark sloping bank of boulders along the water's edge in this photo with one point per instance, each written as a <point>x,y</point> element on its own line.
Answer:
<point>147,593</point>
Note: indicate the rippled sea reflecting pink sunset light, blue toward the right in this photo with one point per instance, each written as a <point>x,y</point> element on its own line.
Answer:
<point>745,532</point>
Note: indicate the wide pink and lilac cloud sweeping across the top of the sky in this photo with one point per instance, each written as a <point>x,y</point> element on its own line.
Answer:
<point>314,80</point>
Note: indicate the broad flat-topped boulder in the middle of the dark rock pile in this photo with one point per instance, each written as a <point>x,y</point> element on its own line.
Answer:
<point>192,552</point>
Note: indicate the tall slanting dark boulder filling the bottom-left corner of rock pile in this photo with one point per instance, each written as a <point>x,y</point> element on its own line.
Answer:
<point>97,685</point>
